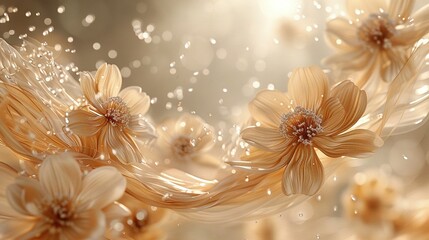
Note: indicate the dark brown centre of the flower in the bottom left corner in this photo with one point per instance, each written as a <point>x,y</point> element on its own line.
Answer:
<point>58,213</point>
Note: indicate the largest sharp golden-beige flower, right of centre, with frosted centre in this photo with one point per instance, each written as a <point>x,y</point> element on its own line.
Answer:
<point>290,126</point>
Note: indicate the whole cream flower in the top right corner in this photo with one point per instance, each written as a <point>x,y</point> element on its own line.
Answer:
<point>377,38</point>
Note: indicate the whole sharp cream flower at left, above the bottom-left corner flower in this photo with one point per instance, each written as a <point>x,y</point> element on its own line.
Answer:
<point>114,117</point>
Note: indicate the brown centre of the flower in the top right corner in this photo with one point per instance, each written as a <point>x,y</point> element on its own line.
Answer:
<point>376,31</point>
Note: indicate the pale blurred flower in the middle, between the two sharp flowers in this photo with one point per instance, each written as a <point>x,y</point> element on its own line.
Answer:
<point>187,138</point>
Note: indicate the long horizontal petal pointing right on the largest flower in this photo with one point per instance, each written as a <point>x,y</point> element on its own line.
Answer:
<point>355,143</point>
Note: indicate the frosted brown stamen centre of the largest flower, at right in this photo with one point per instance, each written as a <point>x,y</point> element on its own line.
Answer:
<point>301,125</point>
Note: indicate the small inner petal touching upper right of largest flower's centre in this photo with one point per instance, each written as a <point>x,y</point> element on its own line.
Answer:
<point>333,114</point>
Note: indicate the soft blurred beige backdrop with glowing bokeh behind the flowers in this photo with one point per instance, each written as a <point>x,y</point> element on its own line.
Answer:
<point>209,57</point>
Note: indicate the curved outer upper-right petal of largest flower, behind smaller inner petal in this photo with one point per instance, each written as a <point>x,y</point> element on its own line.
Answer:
<point>353,100</point>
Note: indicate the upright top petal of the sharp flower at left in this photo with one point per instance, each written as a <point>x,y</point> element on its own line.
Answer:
<point>109,81</point>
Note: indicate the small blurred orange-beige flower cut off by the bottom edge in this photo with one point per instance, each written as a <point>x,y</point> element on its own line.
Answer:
<point>144,222</point>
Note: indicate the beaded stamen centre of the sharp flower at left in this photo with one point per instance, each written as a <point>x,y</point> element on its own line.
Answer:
<point>117,112</point>
